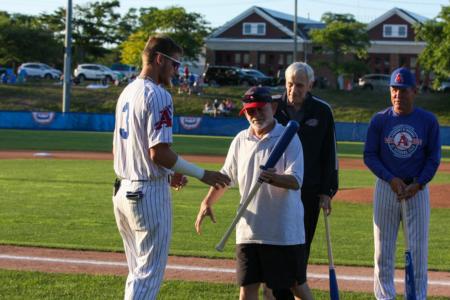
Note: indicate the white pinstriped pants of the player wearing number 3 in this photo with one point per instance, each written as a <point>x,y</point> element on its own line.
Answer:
<point>145,226</point>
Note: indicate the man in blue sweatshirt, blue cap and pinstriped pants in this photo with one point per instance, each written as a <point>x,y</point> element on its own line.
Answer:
<point>403,150</point>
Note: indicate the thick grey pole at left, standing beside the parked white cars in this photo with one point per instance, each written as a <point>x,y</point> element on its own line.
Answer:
<point>67,59</point>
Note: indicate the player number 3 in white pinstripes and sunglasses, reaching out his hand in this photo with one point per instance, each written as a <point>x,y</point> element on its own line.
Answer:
<point>143,161</point>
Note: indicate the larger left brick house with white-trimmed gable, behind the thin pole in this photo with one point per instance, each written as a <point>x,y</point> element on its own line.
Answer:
<point>260,38</point>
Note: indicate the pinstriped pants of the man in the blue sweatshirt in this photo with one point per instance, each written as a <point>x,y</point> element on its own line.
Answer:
<point>386,218</point>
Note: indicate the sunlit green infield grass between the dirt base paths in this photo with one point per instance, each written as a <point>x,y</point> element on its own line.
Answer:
<point>67,204</point>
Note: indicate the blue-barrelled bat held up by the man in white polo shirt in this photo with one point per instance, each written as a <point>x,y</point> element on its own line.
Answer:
<point>280,146</point>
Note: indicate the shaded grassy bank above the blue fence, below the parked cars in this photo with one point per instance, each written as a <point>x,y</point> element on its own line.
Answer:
<point>357,105</point>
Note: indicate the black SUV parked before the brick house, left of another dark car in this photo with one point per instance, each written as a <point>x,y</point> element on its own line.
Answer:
<point>222,75</point>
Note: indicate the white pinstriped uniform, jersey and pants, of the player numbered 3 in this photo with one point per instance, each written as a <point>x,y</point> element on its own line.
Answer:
<point>142,206</point>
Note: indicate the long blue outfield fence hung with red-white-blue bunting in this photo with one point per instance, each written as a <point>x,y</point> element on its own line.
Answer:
<point>204,125</point>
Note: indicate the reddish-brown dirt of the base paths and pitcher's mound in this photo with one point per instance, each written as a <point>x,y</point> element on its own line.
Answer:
<point>200,269</point>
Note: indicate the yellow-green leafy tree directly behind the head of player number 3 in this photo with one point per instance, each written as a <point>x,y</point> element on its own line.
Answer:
<point>187,29</point>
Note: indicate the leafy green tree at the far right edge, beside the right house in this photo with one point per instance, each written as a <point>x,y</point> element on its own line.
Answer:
<point>436,56</point>
